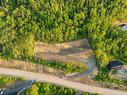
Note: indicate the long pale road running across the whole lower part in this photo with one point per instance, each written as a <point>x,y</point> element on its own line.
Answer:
<point>61,82</point>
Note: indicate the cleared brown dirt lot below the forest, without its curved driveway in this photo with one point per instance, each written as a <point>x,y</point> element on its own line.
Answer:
<point>64,52</point>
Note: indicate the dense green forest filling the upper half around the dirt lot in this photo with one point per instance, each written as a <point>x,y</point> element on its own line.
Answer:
<point>23,22</point>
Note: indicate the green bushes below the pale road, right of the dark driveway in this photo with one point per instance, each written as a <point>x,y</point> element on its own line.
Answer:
<point>48,89</point>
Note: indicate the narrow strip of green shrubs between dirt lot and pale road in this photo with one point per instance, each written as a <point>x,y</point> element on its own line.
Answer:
<point>66,67</point>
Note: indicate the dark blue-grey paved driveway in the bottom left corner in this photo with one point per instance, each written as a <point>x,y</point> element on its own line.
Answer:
<point>18,89</point>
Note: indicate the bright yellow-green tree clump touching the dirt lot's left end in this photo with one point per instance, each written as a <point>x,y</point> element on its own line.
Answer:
<point>24,46</point>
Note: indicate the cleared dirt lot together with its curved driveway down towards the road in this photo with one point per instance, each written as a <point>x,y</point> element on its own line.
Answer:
<point>77,51</point>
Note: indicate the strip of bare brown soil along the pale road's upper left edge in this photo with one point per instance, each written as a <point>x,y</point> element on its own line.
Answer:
<point>26,66</point>
